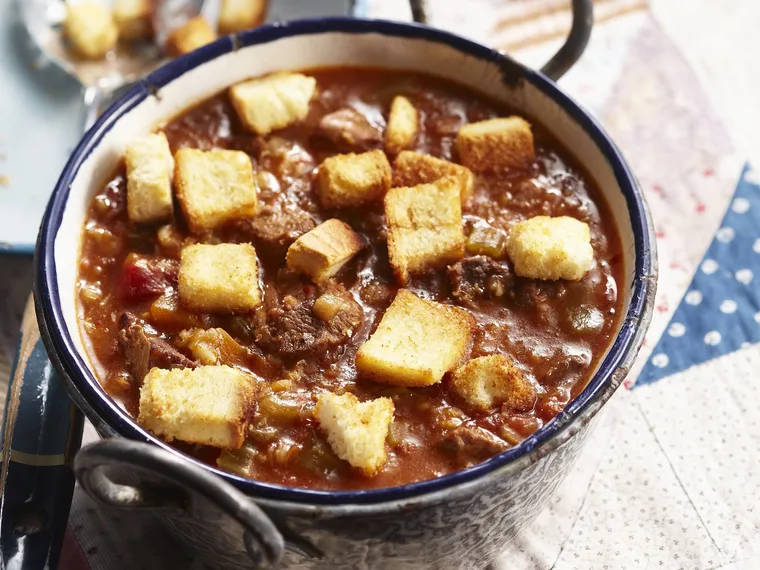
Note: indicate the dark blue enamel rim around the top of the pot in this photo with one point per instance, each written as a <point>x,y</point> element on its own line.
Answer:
<point>111,420</point>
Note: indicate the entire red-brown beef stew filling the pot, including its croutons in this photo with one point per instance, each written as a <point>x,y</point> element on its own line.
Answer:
<point>347,278</point>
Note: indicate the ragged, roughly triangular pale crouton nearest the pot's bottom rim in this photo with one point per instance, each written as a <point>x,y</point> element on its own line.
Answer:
<point>355,430</point>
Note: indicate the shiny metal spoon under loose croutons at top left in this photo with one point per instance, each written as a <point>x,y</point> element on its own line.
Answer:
<point>43,20</point>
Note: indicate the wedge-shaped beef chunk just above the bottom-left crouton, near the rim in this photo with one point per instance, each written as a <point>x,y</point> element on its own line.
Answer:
<point>143,351</point>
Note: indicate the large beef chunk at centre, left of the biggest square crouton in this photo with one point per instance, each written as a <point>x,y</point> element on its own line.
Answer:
<point>291,327</point>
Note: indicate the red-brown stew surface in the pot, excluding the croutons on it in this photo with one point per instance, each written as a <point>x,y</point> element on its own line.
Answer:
<point>553,331</point>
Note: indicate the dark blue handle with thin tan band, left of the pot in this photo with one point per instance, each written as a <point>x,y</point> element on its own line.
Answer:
<point>47,429</point>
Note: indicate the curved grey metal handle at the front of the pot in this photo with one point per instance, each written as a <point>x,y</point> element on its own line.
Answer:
<point>168,483</point>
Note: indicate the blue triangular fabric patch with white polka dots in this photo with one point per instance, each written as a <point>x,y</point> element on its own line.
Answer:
<point>720,312</point>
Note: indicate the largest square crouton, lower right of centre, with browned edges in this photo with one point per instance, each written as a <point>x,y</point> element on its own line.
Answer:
<point>416,342</point>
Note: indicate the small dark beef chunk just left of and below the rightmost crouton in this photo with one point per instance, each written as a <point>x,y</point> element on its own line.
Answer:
<point>479,277</point>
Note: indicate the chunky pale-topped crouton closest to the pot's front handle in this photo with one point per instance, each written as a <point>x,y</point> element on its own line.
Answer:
<point>208,405</point>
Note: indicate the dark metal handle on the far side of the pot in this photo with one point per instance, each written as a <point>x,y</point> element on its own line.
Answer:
<point>568,54</point>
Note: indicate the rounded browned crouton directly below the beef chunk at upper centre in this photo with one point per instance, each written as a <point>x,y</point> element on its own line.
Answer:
<point>353,179</point>
